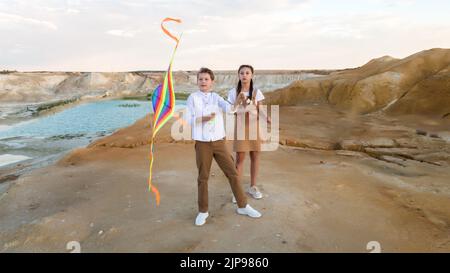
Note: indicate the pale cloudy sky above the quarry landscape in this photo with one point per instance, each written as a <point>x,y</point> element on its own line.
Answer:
<point>125,35</point>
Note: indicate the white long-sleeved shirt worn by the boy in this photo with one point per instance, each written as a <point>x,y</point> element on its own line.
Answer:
<point>200,104</point>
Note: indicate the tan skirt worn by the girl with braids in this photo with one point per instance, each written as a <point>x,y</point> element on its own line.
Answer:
<point>246,144</point>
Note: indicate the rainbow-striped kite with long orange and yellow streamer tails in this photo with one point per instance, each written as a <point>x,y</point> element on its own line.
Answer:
<point>163,102</point>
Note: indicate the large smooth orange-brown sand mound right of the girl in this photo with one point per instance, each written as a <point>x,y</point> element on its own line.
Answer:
<point>418,84</point>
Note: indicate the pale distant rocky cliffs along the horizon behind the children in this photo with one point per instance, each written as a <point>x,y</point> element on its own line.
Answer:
<point>33,87</point>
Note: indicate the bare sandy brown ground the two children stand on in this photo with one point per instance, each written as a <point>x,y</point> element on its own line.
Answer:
<point>321,195</point>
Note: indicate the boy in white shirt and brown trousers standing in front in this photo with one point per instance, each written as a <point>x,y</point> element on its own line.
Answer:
<point>205,116</point>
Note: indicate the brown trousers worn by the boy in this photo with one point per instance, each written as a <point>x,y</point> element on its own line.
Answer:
<point>205,152</point>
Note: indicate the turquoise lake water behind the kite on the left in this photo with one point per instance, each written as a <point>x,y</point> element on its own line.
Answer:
<point>44,138</point>
